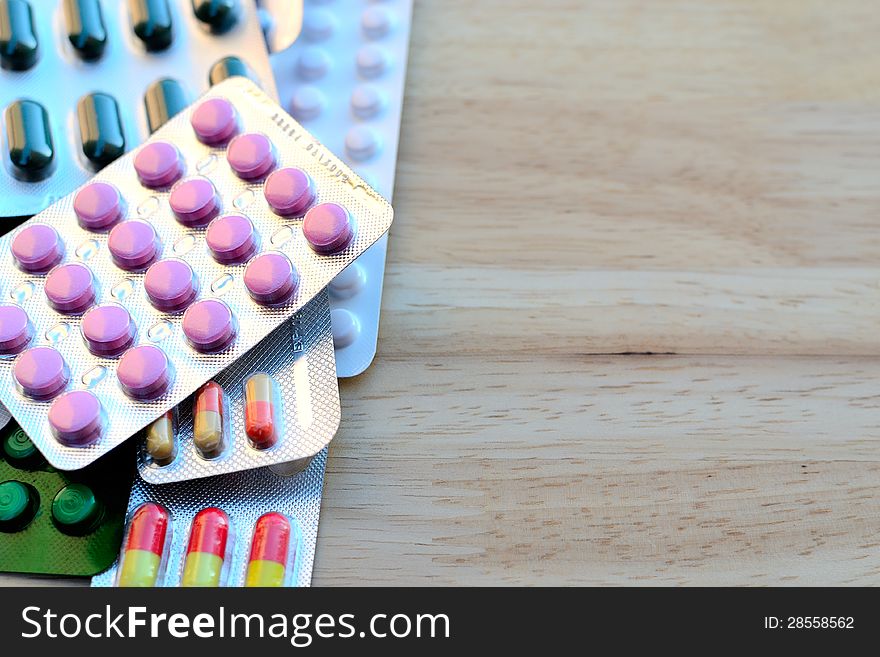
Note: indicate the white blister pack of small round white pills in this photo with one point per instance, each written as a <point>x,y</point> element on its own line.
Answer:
<point>344,80</point>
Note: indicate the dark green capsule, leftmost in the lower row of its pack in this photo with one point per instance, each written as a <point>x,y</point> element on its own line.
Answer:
<point>29,138</point>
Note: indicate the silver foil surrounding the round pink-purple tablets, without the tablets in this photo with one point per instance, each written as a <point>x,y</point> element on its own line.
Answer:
<point>221,287</point>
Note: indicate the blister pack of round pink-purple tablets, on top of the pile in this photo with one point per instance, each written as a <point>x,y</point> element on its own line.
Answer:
<point>168,266</point>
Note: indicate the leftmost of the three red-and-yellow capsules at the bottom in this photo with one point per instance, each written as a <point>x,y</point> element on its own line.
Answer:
<point>146,545</point>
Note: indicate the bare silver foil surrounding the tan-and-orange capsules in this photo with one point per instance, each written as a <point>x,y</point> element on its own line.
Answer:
<point>298,355</point>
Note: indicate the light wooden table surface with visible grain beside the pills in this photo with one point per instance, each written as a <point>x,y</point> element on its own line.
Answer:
<point>630,325</point>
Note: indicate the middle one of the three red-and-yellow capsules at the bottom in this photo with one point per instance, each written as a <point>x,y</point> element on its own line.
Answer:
<point>206,551</point>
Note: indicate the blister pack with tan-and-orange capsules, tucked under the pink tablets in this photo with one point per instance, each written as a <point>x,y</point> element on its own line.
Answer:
<point>278,403</point>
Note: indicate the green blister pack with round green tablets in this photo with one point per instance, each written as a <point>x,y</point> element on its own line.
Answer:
<point>60,523</point>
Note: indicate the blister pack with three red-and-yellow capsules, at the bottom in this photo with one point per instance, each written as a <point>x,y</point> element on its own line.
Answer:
<point>251,528</point>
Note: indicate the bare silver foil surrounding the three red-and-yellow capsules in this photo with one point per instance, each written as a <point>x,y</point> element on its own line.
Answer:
<point>244,497</point>
